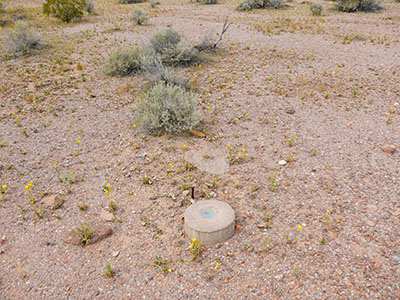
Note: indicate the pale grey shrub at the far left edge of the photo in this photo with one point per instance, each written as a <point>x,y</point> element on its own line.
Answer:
<point>21,39</point>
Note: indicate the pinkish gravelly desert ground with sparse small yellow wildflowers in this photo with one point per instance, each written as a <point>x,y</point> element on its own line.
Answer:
<point>324,226</point>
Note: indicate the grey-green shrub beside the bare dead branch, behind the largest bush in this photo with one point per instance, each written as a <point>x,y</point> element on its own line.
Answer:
<point>169,46</point>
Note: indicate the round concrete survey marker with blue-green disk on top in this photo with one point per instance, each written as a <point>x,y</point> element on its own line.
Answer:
<point>210,221</point>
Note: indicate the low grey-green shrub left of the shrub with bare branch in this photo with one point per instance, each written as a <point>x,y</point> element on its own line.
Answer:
<point>123,62</point>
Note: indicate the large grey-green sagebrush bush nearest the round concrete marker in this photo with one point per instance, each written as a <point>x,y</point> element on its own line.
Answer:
<point>166,108</point>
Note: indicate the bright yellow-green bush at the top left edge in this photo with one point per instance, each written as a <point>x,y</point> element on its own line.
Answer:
<point>65,10</point>
